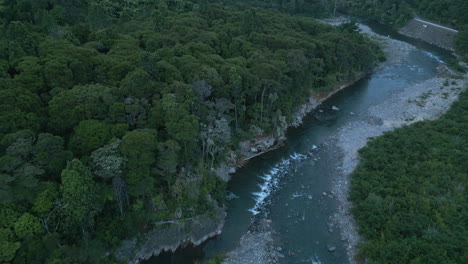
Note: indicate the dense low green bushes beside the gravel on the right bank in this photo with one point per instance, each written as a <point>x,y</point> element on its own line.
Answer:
<point>409,192</point>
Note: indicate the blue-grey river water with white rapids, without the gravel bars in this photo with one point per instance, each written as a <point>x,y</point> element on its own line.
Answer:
<point>292,185</point>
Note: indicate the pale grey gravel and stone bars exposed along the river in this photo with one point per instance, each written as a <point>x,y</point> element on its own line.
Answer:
<point>426,100</point>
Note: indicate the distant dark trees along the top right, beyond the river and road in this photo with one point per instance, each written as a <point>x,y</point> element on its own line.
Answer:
<point>395,13</point>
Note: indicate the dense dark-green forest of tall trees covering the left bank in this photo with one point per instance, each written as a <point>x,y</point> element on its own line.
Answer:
<point>115,112</point>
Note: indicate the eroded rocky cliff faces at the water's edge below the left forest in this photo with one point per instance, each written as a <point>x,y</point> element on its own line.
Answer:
<point>168,236</point>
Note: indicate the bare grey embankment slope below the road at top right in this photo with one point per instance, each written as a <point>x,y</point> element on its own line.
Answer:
<point>431,33</point>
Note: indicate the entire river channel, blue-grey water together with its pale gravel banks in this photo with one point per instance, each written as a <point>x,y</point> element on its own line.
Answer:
<point>300,189</point>
